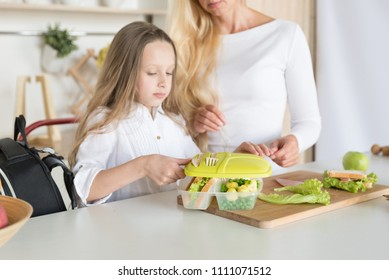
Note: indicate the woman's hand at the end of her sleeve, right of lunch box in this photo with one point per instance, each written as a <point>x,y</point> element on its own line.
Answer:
<point>285,151</point>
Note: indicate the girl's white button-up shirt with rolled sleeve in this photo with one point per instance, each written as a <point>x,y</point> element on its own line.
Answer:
<point>135,136</point>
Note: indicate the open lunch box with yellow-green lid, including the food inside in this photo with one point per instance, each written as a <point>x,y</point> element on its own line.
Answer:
<point>211,170</point>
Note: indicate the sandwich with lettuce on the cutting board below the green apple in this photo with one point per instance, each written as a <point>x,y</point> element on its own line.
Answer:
<point>349,180</point>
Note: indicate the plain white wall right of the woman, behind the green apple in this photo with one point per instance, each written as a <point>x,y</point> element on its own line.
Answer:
<point>352,75</point>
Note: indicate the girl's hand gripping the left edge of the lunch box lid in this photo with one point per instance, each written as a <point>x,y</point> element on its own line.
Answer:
<point>164,170</point>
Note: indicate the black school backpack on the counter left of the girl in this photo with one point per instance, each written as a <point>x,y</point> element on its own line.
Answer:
<point>25,173</point>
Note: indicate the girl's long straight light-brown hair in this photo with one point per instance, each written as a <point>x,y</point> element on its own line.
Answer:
<point>115,91</point>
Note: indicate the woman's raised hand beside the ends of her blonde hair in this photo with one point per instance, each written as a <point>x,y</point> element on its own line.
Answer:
<point>208,118</point>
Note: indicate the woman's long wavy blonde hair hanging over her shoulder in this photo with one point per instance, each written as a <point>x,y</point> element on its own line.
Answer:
<point>197,41</point>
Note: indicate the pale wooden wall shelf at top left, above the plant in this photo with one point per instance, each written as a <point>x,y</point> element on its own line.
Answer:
<point>79,9</point>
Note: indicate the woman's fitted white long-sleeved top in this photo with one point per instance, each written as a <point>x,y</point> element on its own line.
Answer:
<point>260,71</point>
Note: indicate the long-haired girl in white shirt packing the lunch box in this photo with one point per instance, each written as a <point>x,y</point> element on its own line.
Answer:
<point>131,140</point>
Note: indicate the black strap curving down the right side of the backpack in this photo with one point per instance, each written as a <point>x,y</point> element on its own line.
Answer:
<point>53,161</point>
